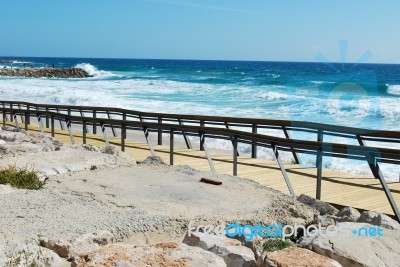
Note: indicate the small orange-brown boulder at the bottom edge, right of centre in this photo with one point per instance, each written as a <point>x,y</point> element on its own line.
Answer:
<point>298,257</point>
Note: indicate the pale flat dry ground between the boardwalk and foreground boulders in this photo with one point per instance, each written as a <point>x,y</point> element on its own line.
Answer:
<point>89,189</point>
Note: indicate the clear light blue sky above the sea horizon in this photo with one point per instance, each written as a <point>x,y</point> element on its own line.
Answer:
<point>268,30</point>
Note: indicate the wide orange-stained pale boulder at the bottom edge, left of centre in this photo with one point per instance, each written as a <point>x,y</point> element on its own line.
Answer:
<point>161,254</point>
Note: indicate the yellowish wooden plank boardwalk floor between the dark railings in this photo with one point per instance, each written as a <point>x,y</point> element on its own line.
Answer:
<point>338,188</point>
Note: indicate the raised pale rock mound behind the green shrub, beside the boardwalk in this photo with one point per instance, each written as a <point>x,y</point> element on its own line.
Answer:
<point>50,157</point>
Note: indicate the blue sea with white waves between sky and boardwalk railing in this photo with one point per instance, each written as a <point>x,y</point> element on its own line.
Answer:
<point>357,95</point>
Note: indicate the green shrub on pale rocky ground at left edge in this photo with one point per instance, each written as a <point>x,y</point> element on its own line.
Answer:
<point>22,178</point>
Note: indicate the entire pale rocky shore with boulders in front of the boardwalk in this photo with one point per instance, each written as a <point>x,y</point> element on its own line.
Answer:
<point>98,207</point>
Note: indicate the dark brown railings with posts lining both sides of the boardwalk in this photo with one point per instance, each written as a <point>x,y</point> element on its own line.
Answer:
<point>205,127</point>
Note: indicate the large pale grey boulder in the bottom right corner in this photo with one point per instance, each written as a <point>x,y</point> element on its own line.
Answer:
<point>351,249</point>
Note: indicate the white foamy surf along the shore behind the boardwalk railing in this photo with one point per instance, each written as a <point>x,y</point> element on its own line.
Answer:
<point>161,96</point>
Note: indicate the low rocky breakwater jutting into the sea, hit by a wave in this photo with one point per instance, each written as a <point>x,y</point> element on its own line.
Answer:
<point>45,72</point>
